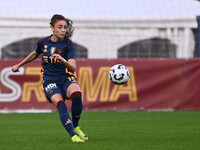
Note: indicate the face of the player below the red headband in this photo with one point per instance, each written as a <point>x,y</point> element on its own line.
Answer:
<point>59,29</point>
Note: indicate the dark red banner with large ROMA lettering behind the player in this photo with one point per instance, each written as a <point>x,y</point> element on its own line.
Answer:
<point>154,84</point>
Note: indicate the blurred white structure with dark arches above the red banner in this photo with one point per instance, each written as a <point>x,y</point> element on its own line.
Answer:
<point>105,28</point>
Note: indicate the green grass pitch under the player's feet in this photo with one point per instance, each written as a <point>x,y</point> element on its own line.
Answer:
<point>137,130</point>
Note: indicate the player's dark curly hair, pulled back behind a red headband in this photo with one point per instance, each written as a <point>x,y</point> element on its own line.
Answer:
<point>70,28</point>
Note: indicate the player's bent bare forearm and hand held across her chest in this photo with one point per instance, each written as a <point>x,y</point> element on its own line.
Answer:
<point>70,64</point>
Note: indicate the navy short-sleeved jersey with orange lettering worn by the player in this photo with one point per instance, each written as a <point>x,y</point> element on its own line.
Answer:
<point>51,66</point>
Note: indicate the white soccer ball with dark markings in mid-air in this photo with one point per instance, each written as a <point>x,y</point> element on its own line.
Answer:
<point>119,74</point>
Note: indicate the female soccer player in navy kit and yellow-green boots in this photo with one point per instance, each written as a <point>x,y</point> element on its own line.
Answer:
<point>58,67</point>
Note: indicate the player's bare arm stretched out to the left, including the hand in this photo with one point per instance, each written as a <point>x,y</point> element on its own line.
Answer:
<point>32,56</point>
